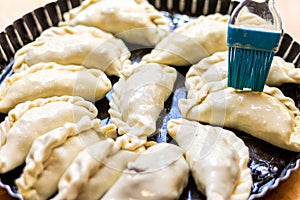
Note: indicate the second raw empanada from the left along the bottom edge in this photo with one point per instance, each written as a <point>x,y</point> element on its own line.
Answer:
<point>94,171</point>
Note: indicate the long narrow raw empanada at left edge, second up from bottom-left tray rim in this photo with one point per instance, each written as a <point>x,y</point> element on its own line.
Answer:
<point>45,80</point>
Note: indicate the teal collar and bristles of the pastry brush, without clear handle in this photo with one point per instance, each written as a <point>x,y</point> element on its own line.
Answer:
<point>250,57</point>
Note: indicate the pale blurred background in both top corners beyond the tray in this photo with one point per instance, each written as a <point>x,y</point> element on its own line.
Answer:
<point>14,9</point>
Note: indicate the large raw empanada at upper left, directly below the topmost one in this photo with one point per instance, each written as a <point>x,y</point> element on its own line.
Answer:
<point>79,45</point>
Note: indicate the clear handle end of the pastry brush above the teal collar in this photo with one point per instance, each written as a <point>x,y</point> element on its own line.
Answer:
<point>257,14</point>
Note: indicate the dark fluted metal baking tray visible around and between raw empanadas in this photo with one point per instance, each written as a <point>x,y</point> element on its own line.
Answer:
<point>269,164</point>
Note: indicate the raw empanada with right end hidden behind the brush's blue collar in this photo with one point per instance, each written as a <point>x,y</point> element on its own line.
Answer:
<point>193,41</point>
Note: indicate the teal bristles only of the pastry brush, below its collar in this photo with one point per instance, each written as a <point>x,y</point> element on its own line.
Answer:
<point>248,68</point>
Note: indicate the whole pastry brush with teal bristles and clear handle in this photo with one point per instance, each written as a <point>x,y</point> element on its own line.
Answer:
<point>254,32</point>
